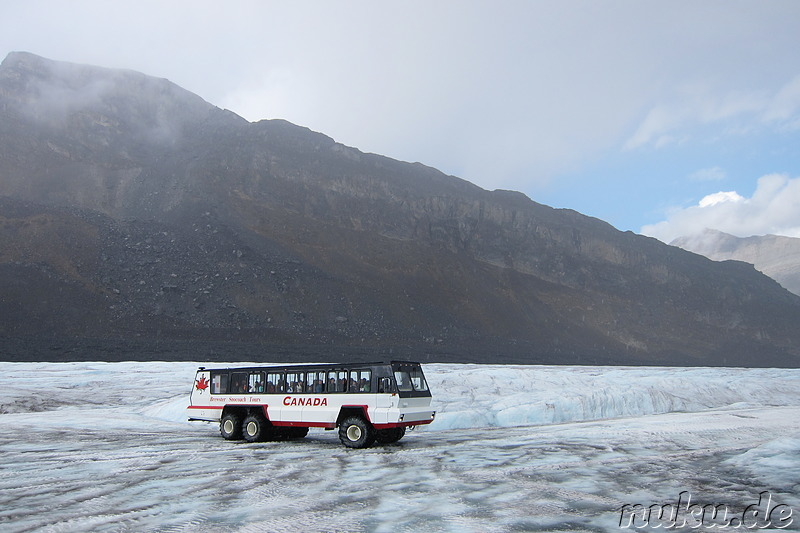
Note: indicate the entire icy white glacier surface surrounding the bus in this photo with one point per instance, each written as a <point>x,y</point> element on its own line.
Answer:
<point>106,447</point>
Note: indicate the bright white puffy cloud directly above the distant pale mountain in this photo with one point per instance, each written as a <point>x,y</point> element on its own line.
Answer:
<point>773,209</point>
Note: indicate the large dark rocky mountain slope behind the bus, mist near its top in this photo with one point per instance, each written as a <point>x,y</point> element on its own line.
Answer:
<point>138,221</point>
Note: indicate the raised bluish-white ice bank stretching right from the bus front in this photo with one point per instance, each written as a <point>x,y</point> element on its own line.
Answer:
<point>506,396</point>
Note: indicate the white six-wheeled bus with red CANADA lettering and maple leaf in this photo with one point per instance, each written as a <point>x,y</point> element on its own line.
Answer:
<point>367,402</point>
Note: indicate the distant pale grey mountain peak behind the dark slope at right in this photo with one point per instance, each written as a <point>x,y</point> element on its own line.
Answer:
<point>777,257</point>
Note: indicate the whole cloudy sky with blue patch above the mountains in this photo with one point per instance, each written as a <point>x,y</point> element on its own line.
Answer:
<point>662,118</point>
